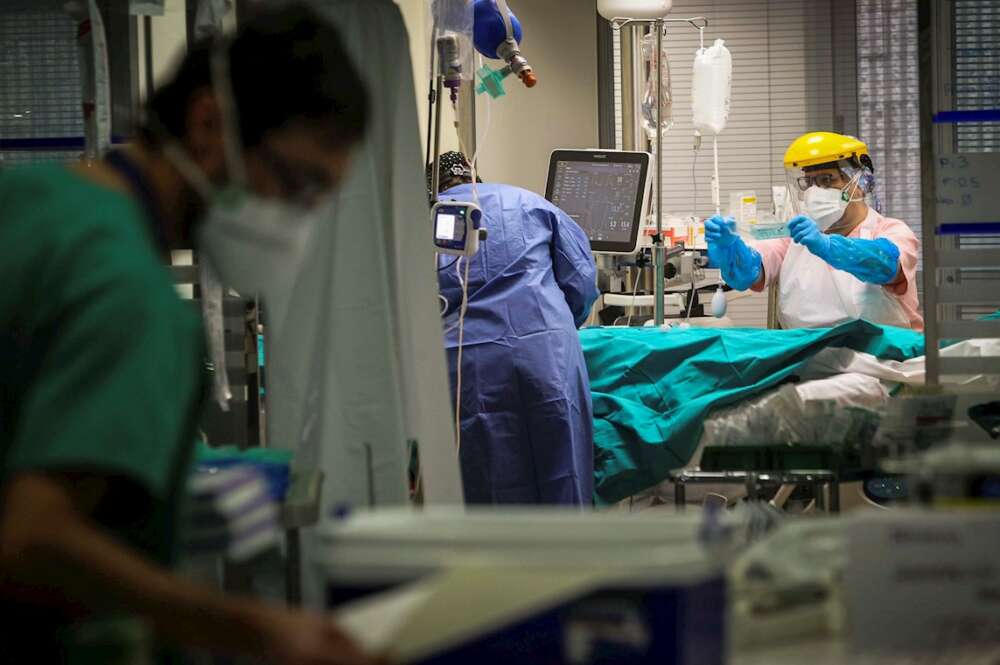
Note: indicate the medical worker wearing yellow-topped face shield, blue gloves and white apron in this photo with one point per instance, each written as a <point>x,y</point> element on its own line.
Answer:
<point>844,259</point>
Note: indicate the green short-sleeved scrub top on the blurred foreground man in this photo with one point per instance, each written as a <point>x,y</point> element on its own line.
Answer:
<point>100,362</point>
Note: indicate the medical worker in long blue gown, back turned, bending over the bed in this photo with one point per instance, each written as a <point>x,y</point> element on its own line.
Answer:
<point>526,428</point>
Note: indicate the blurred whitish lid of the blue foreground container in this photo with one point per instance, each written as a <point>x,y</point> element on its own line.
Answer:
<point>394,546</point>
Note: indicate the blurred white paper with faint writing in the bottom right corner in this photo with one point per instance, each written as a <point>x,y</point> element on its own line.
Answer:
<point>922,581</point>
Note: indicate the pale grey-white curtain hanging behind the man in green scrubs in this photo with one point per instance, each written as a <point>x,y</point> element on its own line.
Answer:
<point>356,360</point>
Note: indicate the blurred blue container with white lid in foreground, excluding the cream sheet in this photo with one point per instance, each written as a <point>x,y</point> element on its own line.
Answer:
<point>664,601</point>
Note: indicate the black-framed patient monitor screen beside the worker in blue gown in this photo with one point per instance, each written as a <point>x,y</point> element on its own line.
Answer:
<point>603,191</point>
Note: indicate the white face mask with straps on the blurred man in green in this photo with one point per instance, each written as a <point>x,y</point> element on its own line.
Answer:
<point>255,244</point>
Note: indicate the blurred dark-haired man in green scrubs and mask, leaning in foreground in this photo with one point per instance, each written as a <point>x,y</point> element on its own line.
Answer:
<point>100,379</point>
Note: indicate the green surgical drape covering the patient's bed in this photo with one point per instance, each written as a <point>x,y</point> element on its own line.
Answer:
<point>653,389</point>
